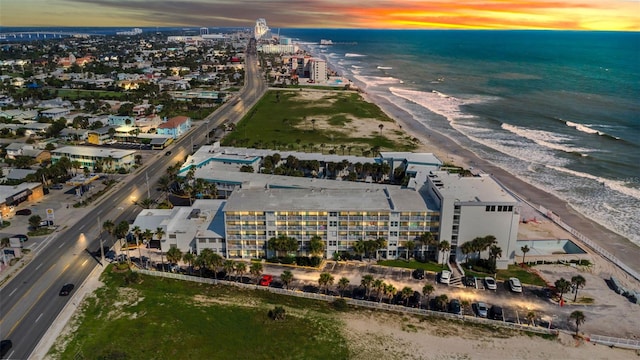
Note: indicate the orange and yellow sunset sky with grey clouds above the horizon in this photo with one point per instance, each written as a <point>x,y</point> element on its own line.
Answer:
<point>390,14</point>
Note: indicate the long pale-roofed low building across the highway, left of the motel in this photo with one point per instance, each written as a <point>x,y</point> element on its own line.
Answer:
<point>88,156</point>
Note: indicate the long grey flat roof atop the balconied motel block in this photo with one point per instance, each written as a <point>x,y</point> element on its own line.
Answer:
<point>326,199</point>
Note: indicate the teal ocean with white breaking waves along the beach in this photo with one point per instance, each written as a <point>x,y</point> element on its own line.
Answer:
<point>558,109</point>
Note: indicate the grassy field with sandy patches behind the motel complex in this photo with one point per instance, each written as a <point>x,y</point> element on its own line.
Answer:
<point>284,120</point>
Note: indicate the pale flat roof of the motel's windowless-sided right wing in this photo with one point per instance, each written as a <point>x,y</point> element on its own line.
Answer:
<point>482,188</point>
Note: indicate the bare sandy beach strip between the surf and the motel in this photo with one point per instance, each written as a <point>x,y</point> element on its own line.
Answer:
<point>443,146</point>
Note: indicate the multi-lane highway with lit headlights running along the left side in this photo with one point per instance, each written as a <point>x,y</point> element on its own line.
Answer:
<point>29,302</point>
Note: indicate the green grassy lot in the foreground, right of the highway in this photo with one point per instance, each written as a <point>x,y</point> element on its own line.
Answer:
<point>159,318</point>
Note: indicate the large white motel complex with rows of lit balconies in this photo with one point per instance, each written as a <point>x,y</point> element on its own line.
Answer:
<point>259,207</point>
